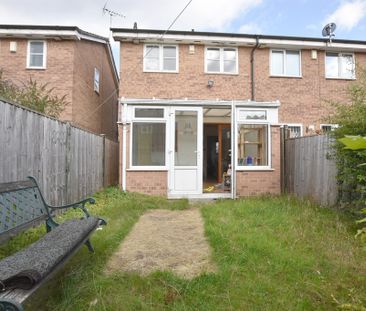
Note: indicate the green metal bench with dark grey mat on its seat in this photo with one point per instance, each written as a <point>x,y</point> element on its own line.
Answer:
<point>22,206</point>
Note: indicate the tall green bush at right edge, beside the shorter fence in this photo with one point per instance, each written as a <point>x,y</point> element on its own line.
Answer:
<point>351,119</point>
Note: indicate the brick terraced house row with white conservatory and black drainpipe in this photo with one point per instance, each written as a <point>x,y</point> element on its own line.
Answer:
<point>201,112</point>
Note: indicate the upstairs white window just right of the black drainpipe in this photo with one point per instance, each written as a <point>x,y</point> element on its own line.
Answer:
<point>285,63</point>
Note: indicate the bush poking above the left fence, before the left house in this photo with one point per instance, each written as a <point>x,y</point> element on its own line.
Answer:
<point>33,95</point>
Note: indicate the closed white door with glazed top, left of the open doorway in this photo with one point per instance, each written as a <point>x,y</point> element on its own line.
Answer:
<point>185,151</point>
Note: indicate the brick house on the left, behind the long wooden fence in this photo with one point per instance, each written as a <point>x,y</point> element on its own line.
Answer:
<point>72,62</point>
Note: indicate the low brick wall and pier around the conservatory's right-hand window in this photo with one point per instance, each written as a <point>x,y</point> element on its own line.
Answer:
<point>251,183</point>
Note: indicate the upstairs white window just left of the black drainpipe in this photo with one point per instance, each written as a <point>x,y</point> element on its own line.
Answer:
<point>221,60</point>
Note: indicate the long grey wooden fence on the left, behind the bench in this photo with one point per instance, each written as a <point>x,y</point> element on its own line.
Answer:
<point>67,161</point>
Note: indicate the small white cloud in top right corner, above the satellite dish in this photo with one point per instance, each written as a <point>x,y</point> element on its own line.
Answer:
<point>348,14</point>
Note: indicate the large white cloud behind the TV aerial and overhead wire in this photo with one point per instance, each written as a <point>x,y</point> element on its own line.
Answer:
<point>211,15</point>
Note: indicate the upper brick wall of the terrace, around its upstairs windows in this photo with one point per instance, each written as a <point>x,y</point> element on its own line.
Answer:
<point>303,100</point>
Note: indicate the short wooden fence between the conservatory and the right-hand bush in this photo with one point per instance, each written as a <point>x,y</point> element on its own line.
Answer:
<point>309,172</point>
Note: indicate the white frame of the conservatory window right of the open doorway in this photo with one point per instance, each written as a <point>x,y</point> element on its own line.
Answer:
<point>267,122</point>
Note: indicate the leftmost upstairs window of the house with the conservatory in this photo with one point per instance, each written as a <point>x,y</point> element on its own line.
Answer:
<point>162,58</point>
